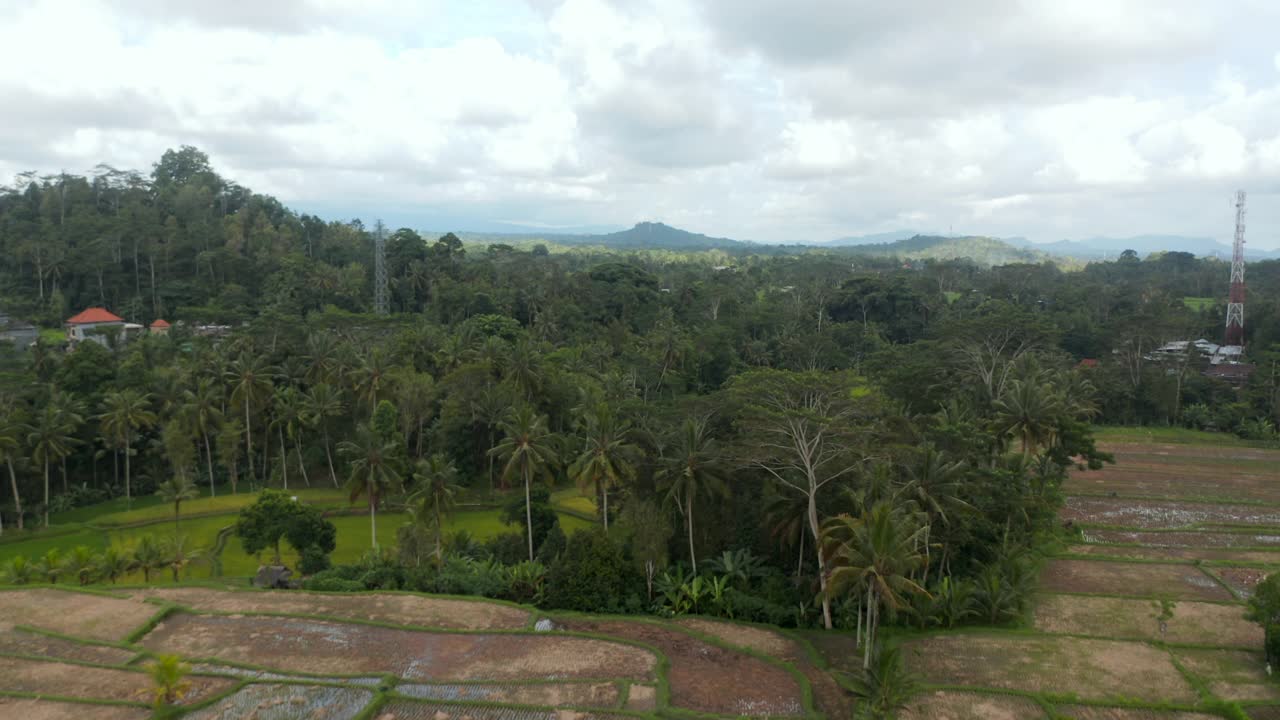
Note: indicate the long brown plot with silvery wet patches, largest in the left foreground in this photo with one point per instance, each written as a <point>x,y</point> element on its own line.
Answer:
<point>324,648</point>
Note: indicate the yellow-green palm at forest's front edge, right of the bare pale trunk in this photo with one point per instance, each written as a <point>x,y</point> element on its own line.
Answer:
<point>875,554</point>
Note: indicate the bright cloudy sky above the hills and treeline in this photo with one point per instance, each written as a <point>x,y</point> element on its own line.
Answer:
<point>755,120</point>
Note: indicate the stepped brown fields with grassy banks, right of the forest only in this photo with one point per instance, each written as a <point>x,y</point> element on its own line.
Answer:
<point>1191,523</point>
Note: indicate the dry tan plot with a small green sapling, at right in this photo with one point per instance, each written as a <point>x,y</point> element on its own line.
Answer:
<point>1194,623</point>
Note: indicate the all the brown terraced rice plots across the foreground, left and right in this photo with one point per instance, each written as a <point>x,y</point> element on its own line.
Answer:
<point>1142,531</point>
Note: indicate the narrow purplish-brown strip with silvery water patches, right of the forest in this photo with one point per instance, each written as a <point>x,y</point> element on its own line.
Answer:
<point>1128,513</point>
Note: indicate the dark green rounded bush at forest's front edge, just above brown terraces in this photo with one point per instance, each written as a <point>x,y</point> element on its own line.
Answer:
<point>591,576</point>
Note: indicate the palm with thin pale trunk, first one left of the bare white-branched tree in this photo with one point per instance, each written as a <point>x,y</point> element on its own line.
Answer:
<point>693,470</point>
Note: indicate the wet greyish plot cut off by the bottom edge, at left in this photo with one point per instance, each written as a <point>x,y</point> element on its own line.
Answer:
<point>287,703</point>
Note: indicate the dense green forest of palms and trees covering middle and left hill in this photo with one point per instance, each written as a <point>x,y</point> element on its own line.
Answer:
<point>804,438</point>
